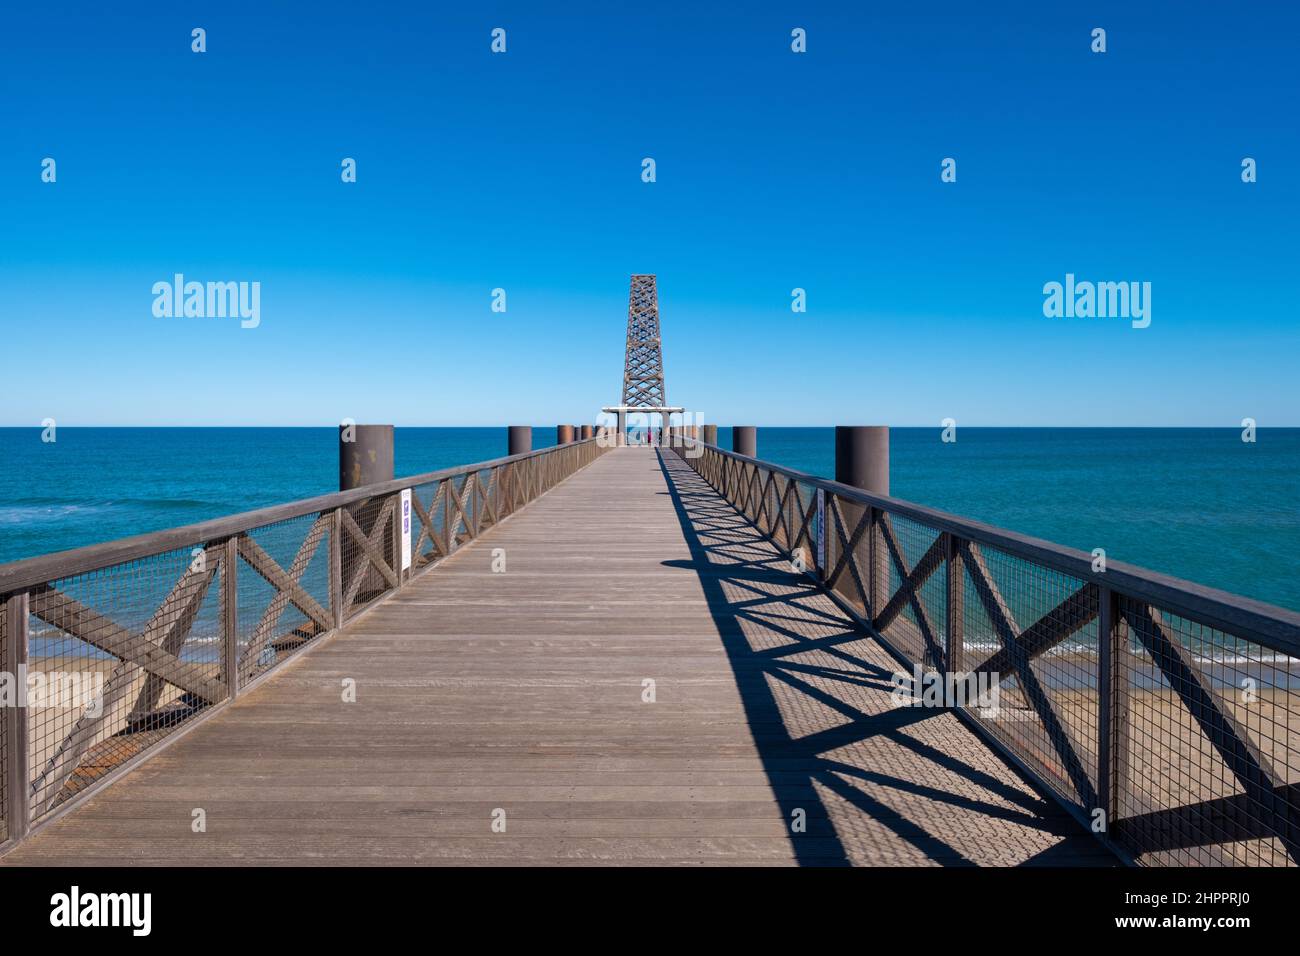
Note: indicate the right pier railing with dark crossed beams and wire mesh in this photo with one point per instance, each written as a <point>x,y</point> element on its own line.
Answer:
<point>1165,716</point>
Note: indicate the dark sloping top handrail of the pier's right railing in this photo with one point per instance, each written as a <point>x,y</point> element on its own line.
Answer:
<point>1271,625</point>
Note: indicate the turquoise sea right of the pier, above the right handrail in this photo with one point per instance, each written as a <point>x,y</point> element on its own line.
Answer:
<point>1193,503</point>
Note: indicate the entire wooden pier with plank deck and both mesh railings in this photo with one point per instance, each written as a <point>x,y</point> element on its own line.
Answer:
<point>599,654</point>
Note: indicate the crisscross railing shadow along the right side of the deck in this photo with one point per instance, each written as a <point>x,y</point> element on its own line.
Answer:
<point>925,803</point>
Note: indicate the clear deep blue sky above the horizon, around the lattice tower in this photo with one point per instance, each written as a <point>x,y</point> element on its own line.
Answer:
<point>523,171</point>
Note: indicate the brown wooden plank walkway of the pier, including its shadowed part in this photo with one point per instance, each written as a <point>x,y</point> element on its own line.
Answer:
<point>523,691</point>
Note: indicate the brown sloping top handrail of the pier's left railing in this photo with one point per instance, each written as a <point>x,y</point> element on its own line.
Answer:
<point>29,573</point>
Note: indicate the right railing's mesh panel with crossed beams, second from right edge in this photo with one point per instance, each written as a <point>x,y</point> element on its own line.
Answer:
<point>1030,637</point>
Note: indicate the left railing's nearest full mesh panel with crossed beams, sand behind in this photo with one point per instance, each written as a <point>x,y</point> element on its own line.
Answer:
<point>122,657</point>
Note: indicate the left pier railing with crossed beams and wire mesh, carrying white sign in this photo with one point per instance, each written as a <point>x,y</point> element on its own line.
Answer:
<point>120,646</point>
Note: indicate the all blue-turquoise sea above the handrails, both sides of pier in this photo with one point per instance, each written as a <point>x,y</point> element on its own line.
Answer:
<point>1194,503</point>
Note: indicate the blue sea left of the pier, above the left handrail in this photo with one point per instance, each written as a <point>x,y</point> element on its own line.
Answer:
<point>98,485</point>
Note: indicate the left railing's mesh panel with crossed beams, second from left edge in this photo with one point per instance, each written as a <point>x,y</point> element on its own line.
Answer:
<point>284,595</point>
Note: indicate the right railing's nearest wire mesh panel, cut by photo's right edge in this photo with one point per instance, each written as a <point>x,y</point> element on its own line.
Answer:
<point>1208,743</point>
